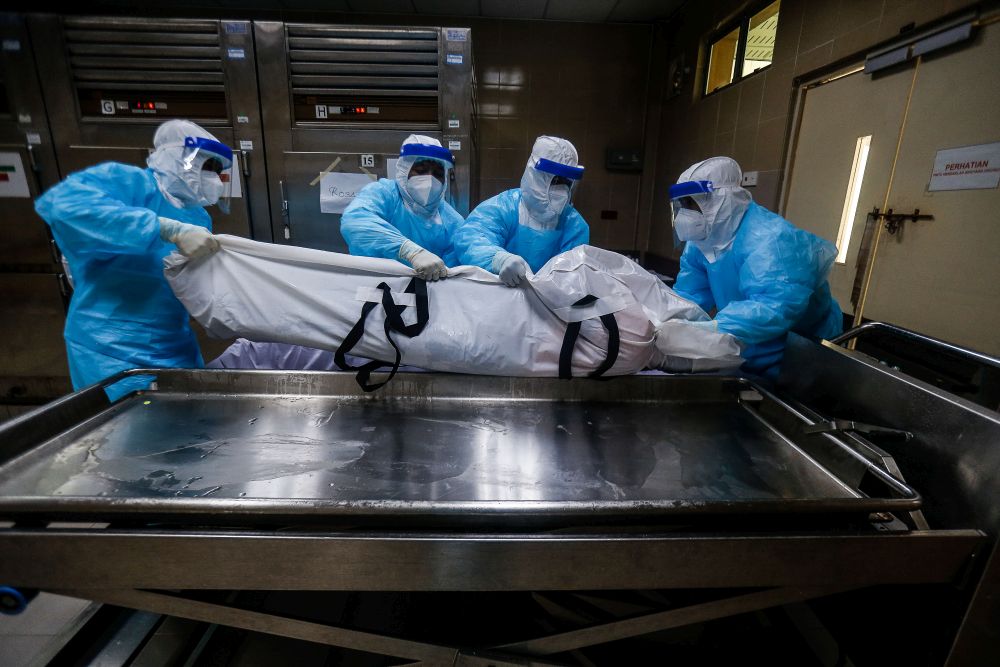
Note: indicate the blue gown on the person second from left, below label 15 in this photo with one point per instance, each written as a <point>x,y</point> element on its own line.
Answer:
<point>377,223</point>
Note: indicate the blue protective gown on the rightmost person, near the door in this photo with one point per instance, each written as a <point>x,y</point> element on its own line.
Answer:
<point>770,281</point>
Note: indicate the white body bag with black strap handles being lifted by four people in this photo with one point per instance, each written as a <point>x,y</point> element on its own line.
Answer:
<point>587,312</point>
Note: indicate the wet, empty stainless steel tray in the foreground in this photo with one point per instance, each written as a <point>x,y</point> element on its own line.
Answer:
<point>211,447</point>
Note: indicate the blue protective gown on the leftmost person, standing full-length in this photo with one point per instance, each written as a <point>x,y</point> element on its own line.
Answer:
<point>123,314</point>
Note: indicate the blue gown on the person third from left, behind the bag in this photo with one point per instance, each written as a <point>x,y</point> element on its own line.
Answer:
<point>494,226</point>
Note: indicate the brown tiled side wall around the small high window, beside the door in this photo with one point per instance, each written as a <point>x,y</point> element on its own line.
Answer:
<point>750,120</point>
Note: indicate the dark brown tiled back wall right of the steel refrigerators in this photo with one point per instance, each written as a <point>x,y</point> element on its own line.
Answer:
<point>584,82</point>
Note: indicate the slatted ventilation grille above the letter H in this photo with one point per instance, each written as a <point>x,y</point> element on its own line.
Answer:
<point>392,62</point>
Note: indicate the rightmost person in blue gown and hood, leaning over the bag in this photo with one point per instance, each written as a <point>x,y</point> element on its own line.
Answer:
<point>763,276</point>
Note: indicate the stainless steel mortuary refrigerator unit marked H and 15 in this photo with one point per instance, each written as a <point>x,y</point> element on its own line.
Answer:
<point>302,65</point>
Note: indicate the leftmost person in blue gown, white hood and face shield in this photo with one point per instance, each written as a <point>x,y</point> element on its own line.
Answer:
<point>114,224</point>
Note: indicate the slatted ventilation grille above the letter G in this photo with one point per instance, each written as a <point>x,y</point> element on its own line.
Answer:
<point>124,54</point>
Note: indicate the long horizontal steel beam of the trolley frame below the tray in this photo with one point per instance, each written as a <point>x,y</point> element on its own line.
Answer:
<point>655,556</point>
